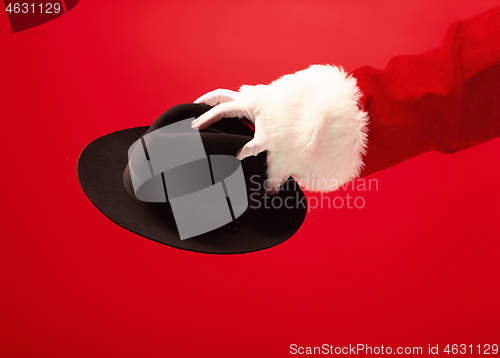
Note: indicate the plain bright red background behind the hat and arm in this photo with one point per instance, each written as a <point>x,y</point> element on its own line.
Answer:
<point>418,265</point>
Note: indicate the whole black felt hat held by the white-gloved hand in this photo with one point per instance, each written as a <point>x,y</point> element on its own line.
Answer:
<point>106,175</point>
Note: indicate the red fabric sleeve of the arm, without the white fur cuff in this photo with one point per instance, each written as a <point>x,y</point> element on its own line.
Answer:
<point>447,99</point>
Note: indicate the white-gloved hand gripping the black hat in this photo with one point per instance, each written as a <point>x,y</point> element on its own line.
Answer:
<point>228,104</point>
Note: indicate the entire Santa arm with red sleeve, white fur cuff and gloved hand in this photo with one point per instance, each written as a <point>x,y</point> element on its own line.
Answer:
<point>314,123</point>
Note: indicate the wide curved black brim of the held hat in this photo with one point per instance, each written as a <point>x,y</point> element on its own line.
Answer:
<point>100,172</point>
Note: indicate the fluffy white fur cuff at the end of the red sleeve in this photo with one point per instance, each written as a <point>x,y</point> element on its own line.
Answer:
<point>316,130</point>
